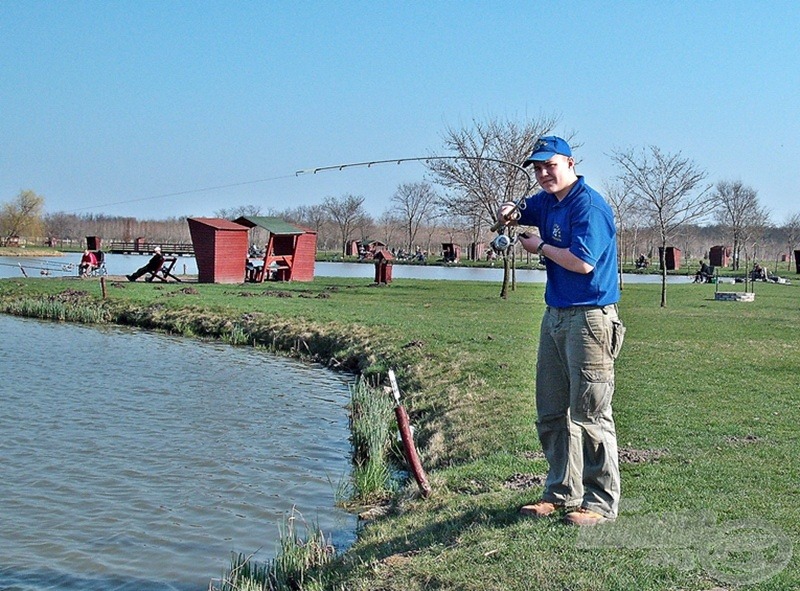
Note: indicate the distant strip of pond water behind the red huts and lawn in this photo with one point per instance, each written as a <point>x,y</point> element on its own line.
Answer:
<point>119,264</point>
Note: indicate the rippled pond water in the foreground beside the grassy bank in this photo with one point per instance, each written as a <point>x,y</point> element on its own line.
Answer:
<point>134,460</point>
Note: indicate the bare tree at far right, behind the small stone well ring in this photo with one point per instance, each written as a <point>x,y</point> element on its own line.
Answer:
<point>739,212</point>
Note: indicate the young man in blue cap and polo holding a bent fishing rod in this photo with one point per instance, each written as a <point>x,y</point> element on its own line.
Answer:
<point>581,337</point>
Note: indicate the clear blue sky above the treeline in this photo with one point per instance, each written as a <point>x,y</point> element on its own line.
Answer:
<point>128,107</point>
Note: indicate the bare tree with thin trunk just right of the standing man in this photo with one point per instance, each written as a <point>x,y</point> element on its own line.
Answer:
<point>669,188</point>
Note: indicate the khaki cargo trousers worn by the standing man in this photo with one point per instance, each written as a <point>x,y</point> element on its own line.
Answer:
<point>574,387</point>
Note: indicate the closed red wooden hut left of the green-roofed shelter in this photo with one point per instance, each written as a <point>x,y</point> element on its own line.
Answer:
<point>220,247</point>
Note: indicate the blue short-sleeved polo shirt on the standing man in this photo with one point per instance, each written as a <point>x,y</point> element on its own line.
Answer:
<point>584,223</point>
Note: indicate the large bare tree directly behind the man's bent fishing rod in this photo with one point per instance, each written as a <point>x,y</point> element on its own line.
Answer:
<point>485,175</point>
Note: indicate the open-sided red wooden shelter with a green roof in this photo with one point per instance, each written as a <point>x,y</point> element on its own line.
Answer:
<point>290,251</point>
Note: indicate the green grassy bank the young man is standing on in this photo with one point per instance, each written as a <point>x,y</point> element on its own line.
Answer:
<point>705,406</point>
